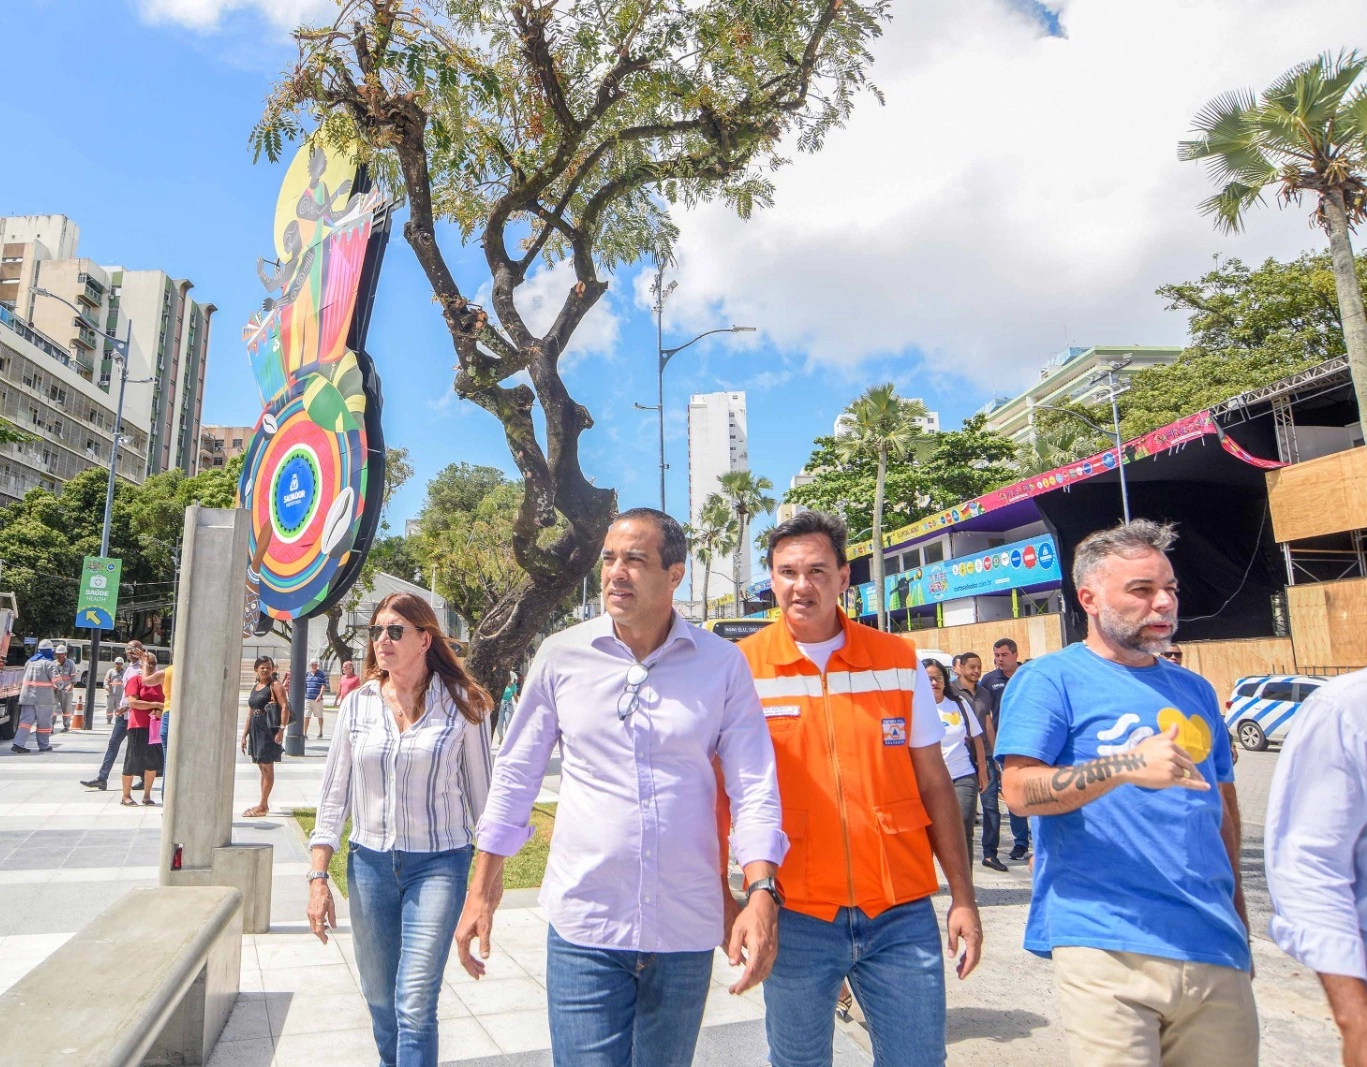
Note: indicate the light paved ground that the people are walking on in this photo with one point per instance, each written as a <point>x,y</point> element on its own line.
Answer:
<point>66,853</point>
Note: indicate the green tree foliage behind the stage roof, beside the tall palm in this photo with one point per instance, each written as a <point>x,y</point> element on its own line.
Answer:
<point>1249,327</point>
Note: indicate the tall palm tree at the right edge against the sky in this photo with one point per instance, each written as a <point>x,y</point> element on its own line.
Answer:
<point>1308,133</point>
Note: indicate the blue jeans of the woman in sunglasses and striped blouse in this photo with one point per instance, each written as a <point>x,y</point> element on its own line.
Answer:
<point>404,912</point>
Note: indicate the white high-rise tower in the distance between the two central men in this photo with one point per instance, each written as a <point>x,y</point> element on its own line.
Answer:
<point>717,445</point>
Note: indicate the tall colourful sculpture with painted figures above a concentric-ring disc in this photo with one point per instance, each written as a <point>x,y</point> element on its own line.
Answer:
<point>318,450</point>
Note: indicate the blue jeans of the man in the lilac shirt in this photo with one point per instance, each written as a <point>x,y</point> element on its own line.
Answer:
<point>612,1008</point>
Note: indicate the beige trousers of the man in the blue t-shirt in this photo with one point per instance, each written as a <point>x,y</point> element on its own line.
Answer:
<point>1130,1010</point>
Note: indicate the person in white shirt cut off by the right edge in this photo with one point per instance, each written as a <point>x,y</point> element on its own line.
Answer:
<point>1316,845</point>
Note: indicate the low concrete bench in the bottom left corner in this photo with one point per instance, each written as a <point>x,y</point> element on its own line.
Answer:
<point>152,980</point>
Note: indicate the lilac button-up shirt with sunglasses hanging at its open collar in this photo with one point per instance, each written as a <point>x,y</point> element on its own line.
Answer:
<point>635,857</point>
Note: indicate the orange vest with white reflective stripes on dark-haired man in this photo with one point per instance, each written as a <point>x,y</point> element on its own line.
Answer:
<point>852,809</point>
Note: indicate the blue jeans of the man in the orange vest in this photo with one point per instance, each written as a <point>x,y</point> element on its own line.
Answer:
<point>896,969</point>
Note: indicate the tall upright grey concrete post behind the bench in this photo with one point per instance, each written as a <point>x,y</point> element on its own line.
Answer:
<point>198,822</point>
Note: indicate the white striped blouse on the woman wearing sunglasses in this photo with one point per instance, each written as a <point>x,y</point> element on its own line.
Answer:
<point>418,792</point>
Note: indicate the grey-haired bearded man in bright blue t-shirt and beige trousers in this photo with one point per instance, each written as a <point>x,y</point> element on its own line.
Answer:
<point>1124,762</point>
